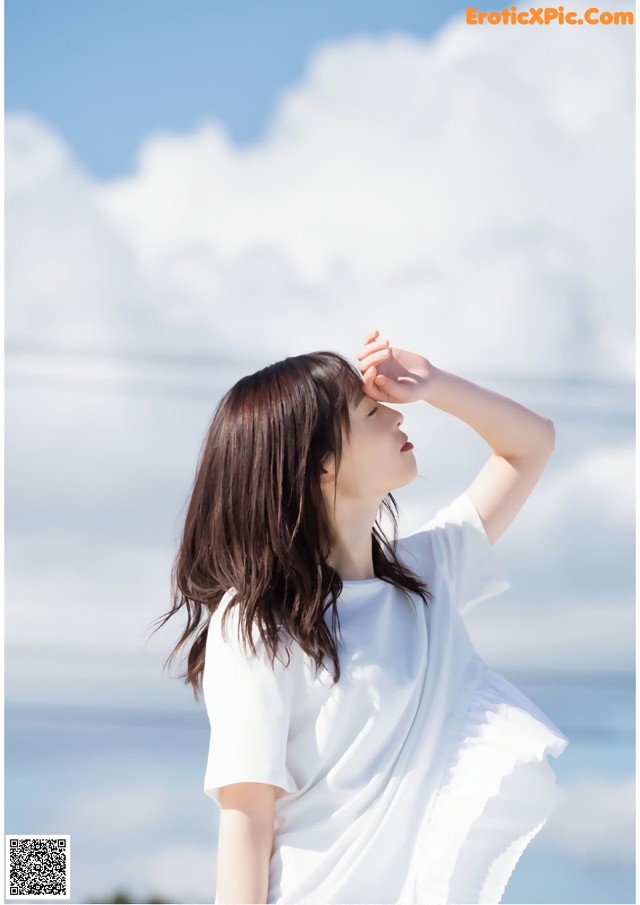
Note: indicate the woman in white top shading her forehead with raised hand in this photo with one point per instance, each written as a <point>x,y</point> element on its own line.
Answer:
<point>361,750</point>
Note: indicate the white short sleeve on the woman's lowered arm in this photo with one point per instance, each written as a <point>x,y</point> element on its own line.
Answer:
<point>249,707</point>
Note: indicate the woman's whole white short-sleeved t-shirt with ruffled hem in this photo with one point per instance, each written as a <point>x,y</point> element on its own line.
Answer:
<point>385,781</point>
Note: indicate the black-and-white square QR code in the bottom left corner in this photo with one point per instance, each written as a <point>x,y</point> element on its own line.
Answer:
<point>38,867</point>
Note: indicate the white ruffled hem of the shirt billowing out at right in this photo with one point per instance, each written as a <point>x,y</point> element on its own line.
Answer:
<point>471,837</point>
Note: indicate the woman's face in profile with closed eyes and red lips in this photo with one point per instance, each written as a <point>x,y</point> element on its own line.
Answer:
<point>372,464</point>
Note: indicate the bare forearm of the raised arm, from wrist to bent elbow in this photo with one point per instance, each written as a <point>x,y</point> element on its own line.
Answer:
<point>509,428</point>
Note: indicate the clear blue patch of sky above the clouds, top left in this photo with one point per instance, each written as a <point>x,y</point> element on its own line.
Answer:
<point>105,74</point>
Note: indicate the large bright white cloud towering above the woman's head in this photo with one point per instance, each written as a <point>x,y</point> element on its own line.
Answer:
<point>437,186</point>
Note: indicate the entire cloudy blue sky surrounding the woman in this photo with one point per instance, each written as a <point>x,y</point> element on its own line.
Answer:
<point>233,182</point>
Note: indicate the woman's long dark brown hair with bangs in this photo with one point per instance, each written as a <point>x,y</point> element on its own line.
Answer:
<point>257,520</point>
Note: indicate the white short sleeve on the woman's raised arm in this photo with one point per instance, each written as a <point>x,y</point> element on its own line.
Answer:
<point>461,547</point>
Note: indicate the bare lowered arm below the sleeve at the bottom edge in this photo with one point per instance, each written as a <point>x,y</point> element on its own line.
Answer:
<point>244,853</point>
